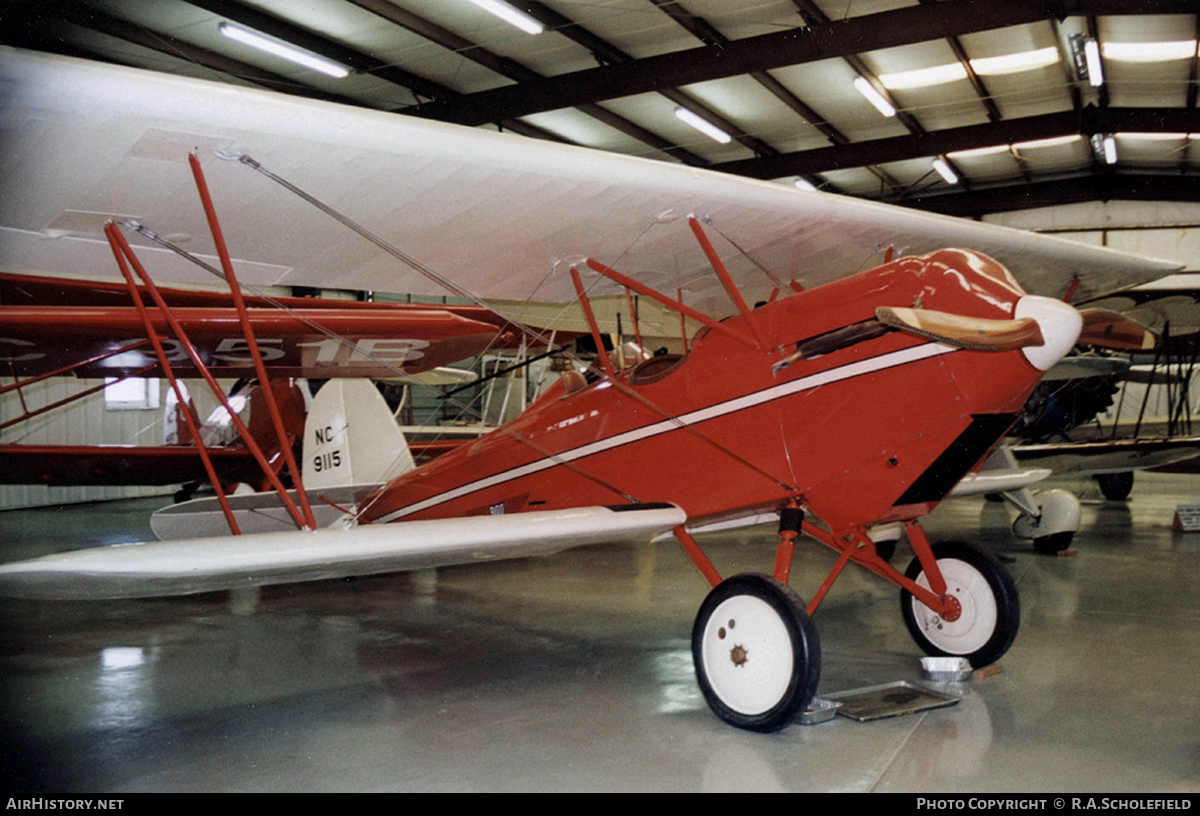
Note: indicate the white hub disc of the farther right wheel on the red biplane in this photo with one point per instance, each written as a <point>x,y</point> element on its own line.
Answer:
<point>971,631</point>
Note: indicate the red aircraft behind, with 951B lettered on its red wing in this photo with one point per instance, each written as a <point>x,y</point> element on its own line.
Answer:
<point>53,327</point>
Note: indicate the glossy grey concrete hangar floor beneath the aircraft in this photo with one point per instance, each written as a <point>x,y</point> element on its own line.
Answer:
<point>574,674</point>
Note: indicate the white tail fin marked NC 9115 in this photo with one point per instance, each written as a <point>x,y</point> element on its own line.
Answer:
<point>352,439</point>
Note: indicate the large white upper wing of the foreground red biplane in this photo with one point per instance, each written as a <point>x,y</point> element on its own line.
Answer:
<point>499,214</point>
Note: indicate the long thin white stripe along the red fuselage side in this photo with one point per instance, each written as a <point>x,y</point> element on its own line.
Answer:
<point>889,361</point>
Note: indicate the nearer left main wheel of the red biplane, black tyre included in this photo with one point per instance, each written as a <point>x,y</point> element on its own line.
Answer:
<point>757,653</point>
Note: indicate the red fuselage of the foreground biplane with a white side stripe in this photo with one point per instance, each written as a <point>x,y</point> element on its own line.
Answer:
<point>875,425</point>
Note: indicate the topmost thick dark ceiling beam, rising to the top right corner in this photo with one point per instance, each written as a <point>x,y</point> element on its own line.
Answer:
<point>838,39</point>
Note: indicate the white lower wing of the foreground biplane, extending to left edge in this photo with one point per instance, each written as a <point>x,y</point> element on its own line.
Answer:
<point>182,568</point>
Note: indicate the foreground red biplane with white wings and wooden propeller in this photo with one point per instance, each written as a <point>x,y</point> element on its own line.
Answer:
<point>849,386</point>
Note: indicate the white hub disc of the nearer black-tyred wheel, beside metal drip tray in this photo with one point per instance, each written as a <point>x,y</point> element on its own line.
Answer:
<point>748,655</point>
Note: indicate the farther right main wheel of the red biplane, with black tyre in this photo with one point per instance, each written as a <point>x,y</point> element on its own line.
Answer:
<point>988,614</point>
